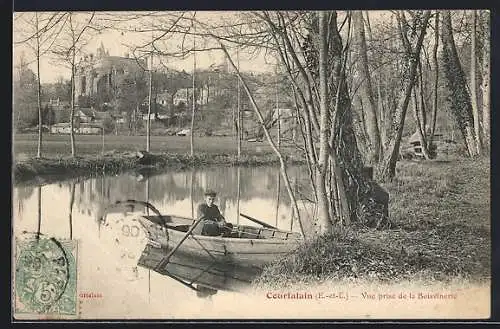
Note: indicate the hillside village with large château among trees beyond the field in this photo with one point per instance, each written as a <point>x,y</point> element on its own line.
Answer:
<point>111,96</point>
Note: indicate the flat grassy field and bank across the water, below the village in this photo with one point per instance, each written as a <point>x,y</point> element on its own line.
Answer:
<point>169,153</point>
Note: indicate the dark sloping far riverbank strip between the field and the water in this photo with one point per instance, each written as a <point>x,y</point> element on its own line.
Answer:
<point>46,170</point>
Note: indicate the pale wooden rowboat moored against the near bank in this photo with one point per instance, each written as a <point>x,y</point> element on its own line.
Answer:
<point>245,245</point>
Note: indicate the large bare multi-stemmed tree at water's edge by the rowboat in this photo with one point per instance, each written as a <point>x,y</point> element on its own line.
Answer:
<point>344,187</point>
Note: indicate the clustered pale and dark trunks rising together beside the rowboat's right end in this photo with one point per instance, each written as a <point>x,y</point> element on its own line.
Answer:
<point>343,183</point>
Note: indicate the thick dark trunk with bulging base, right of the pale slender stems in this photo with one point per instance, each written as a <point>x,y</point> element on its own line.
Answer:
<point>360,200</point>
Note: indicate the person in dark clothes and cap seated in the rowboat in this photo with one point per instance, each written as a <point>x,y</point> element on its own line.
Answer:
<point>212,223</point>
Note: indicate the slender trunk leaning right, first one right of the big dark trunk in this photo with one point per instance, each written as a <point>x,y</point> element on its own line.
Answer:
<point>388,168</point>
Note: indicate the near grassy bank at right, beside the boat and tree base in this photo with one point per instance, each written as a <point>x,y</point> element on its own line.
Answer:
<point>440,214</point>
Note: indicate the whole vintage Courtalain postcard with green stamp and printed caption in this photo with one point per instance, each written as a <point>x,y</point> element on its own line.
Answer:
<point>251,165</point>
